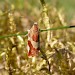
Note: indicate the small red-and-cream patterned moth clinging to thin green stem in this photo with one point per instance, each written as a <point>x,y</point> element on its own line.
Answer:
<point>33,40</point>
